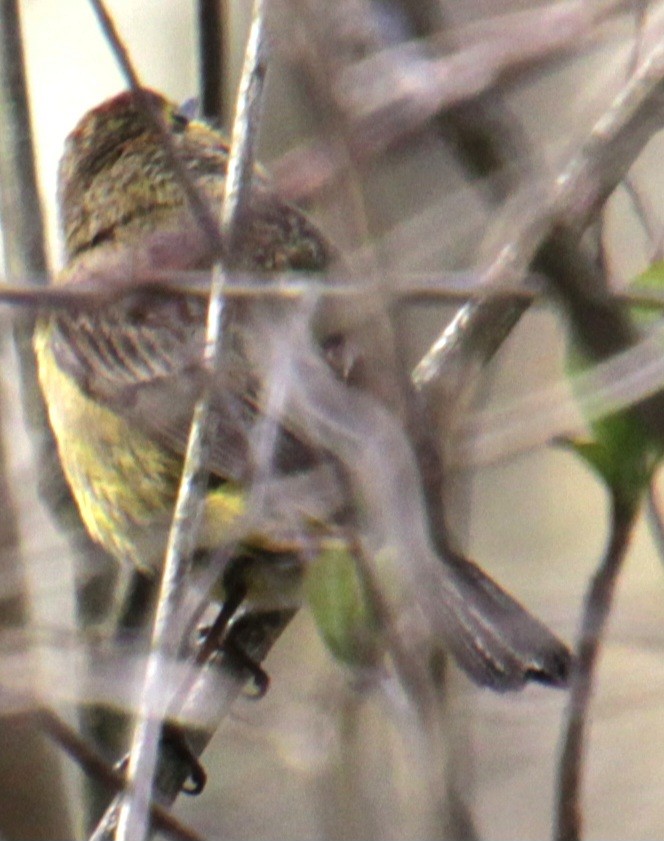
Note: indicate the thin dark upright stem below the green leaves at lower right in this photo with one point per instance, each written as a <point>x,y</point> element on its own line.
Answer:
<point>595,614</point>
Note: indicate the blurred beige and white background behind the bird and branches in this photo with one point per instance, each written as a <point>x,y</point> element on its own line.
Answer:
<point>318,758</point>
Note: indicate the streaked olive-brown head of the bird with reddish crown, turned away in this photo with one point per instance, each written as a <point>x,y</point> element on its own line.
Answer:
<point>114,171</point>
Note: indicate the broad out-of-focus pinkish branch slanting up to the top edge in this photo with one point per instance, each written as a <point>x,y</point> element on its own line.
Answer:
<point>396,90</point>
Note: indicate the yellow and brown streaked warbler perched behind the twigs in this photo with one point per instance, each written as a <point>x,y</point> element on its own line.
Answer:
<point>121,378</point>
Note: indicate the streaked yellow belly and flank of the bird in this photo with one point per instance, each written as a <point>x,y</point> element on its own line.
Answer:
<point>124,483</point>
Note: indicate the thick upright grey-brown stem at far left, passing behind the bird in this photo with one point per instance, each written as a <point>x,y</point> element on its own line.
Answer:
<point>26,259</point>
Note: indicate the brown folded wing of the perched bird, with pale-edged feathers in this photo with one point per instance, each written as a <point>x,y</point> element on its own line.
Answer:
<point>141,357</point>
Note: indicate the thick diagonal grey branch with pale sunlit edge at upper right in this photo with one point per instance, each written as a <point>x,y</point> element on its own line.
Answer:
<point>576,194</point>
